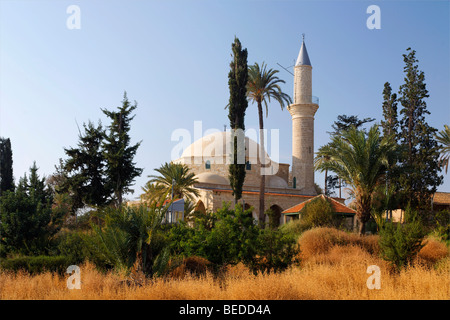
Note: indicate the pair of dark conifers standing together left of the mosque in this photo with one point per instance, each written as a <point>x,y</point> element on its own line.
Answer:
<point>101,169</point>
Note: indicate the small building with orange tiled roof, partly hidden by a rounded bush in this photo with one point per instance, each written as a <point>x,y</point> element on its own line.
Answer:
<point>346,214</point>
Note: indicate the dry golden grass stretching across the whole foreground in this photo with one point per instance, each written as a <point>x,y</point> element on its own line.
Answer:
<point>334,267</point>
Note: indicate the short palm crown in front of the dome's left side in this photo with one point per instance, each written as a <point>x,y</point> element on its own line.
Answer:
<point>175,179</point>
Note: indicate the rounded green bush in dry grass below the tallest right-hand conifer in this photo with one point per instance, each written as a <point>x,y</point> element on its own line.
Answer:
<point>400,243</point>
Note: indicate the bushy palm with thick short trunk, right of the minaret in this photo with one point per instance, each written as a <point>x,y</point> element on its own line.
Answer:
<point>361,160</point>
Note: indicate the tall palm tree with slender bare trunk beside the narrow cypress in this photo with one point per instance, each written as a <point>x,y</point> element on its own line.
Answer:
<point>262,85</point>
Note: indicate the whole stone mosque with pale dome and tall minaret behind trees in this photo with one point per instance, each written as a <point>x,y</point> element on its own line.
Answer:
<point>286,186</point>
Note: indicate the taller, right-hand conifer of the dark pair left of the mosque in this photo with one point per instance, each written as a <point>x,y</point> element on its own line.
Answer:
<point>119,154</point>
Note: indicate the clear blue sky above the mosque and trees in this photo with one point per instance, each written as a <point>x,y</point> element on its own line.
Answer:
<point>172,57</point>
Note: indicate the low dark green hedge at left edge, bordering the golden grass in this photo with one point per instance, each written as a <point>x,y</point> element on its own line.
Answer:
<point>37,264</point>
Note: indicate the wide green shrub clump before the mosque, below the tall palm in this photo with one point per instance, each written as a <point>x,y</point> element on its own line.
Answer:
<point>228,237</point>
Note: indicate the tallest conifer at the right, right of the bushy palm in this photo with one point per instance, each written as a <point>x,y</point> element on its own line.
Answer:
<point>419,160</point>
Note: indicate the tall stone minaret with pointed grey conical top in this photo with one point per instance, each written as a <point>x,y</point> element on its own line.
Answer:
<point>302,112</point>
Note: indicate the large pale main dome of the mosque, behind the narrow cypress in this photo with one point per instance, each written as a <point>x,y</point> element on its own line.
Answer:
<point>216,146</point>
